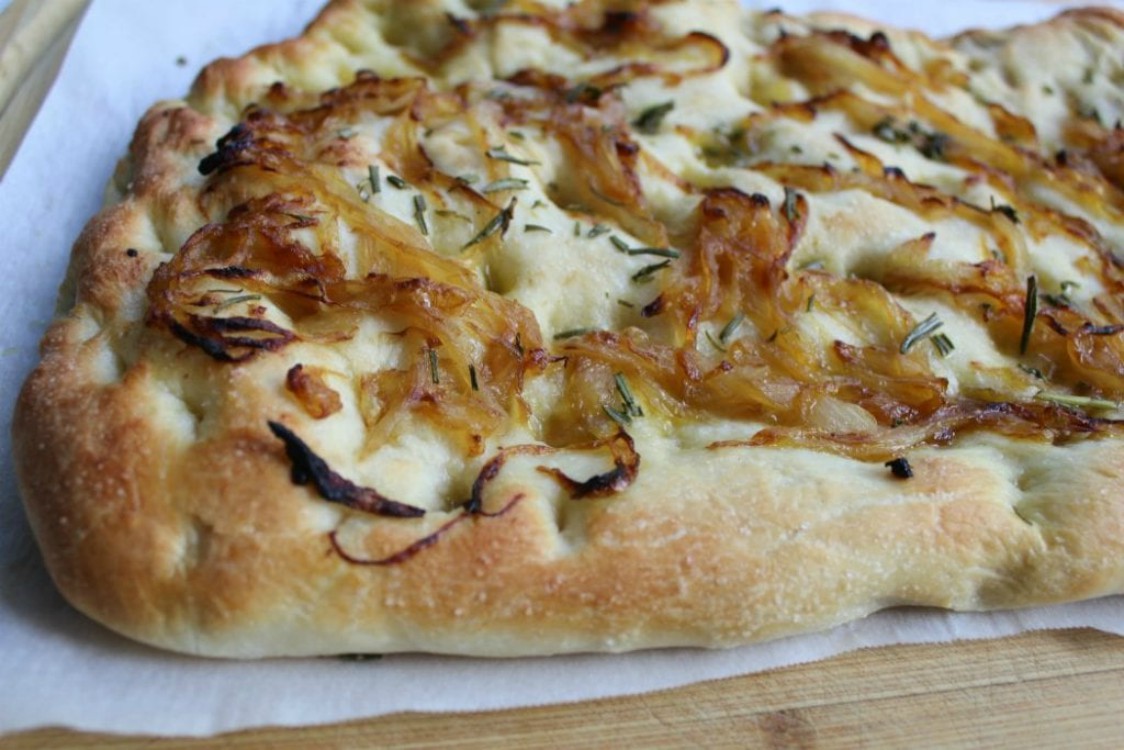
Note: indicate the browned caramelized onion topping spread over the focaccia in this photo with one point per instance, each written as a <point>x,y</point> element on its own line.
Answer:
<point>312,257</point>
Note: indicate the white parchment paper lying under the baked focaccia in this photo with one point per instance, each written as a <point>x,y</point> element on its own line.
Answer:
<point>58,668</point>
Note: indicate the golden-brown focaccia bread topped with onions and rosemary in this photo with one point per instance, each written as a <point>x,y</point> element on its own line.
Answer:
<point>536,328</point>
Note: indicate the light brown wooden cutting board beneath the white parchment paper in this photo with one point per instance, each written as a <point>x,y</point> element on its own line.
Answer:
<point>1041,690</point>
